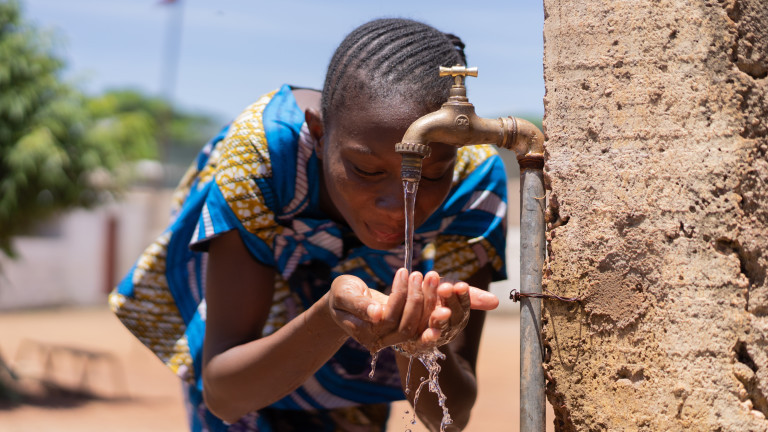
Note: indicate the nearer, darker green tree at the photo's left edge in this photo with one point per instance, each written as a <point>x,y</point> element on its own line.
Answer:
<point>44,156</point>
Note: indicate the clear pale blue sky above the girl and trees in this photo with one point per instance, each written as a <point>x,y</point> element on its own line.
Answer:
<point>232,51</point>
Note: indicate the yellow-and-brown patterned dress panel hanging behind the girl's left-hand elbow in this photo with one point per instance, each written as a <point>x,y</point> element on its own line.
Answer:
<point>151,314</point>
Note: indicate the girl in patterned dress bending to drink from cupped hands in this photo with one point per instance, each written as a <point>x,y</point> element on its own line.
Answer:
<point>280,273</point>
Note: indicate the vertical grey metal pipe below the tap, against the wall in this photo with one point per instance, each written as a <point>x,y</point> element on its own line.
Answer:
<point>532,250</point>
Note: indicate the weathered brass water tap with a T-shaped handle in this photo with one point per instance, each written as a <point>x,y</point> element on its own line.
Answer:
<point>456,123</point>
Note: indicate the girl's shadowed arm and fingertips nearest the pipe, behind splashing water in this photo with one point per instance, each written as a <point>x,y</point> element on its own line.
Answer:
<point>457,377</point>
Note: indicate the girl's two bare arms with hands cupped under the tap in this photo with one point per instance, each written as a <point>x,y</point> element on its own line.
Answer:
<point>243,371</point>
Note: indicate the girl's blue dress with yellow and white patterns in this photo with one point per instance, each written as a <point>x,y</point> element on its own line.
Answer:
<point>259,177</point>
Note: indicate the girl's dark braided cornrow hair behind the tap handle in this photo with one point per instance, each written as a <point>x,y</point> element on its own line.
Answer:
<point>391,59</point>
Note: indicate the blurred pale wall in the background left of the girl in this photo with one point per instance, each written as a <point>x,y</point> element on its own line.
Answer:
<point>66,262</point>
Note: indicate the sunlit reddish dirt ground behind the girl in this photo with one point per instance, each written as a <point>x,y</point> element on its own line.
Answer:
<point>135,392</point>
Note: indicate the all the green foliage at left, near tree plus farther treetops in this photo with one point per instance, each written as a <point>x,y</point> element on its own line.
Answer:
<point>54,139</point>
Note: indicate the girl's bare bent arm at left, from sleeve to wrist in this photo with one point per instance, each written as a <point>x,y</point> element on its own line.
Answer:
<point>242,371</point>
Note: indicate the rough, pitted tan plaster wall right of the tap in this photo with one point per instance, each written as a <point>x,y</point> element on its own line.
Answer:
<point>656,119</point>
